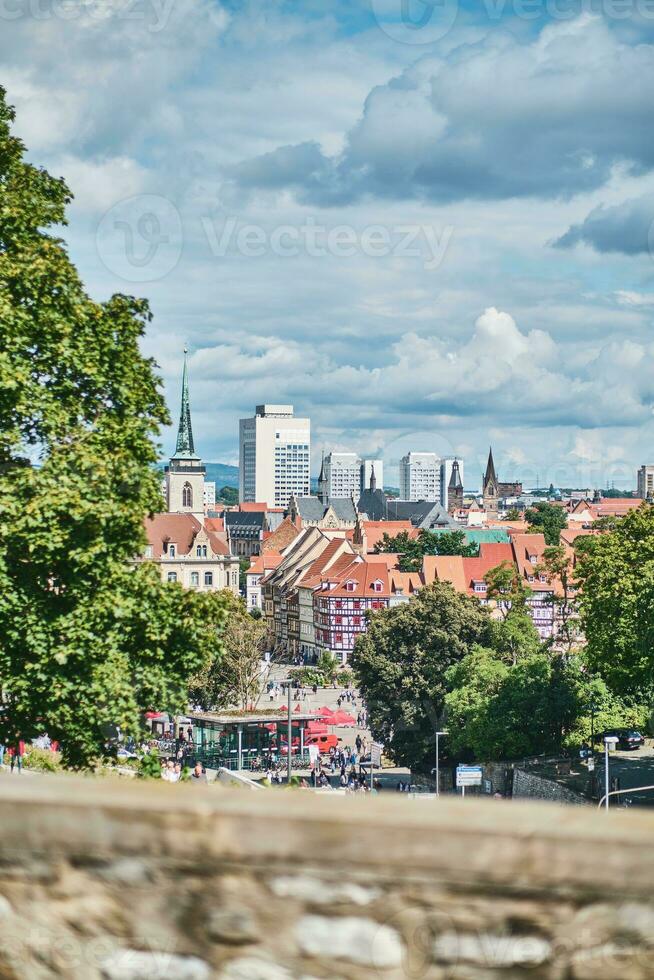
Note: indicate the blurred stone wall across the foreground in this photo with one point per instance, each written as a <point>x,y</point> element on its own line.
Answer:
<point>122,881</point>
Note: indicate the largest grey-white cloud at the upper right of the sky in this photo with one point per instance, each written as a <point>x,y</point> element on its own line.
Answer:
<point>496,119</point>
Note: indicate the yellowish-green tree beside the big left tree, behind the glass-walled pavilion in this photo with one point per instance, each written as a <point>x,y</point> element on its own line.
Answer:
<point>233,678</point>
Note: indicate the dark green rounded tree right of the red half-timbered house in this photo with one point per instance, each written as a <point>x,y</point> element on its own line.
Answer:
<point>401,663</point>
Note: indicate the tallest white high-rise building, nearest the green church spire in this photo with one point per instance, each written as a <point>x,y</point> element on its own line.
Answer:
<point>274,455</point>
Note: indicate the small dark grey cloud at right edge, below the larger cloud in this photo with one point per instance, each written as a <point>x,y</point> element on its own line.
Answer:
<point>625,228</point>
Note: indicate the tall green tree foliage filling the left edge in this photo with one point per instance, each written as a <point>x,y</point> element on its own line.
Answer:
<point>86,643</point>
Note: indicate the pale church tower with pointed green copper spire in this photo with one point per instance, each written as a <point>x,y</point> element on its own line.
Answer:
<point>185,473</point>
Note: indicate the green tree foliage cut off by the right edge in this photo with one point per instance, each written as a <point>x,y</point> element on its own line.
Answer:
<point>616,577</point>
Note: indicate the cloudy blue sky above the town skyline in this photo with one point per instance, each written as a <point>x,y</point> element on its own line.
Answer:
<point>426,225</point>
